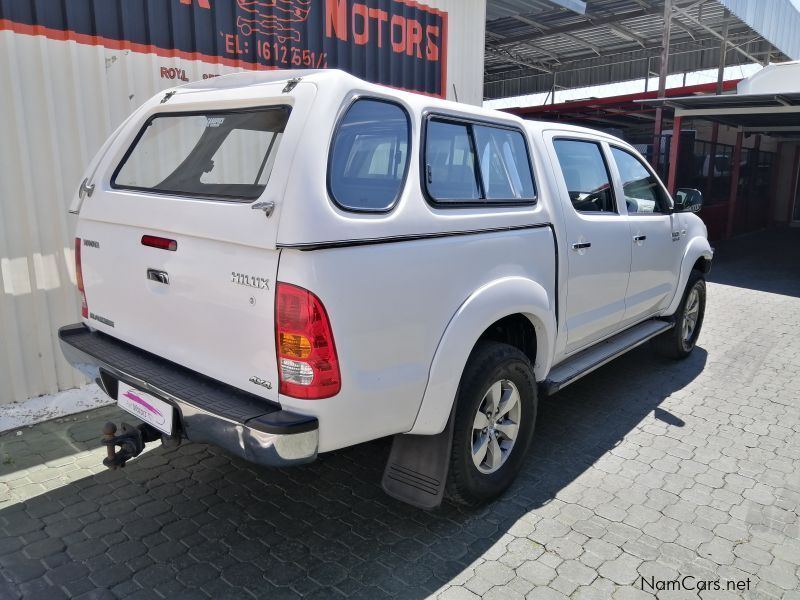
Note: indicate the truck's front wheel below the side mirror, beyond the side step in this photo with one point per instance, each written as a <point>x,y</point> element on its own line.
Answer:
<point>679,341</point>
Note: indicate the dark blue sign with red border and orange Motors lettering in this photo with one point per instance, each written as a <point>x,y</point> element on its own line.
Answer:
<point>401,43</point>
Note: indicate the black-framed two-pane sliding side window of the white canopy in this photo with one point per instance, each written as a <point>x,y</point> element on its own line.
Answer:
<point>470,163</point>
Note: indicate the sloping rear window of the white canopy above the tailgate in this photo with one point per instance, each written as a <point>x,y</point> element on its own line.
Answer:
<point>226,155</point>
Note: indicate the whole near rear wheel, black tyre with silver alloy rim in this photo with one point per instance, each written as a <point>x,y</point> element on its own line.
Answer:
<point>494,422</point>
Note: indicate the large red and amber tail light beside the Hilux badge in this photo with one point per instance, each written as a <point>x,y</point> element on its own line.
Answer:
<point>308,366</point>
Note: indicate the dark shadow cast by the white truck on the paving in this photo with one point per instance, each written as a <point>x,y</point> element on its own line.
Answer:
<point>193,522</point>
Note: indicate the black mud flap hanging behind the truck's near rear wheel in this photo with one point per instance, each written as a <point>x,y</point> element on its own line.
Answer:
<point>416,471</point>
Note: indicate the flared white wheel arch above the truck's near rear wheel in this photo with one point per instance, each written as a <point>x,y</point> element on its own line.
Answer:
<point>488,313</point>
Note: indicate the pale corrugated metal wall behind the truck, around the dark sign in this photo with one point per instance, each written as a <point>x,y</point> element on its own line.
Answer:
<point>59,101</point>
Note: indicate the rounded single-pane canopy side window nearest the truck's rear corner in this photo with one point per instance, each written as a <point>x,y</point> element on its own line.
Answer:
<point>369,156</point>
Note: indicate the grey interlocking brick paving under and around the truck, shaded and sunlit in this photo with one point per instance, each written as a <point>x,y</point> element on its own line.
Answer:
<point>646,469</point>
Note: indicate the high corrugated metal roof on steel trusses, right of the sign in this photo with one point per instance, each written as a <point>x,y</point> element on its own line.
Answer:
<point>534,46</point>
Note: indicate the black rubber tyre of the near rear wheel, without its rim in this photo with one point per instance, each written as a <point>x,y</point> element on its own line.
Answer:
<point>490,362</point>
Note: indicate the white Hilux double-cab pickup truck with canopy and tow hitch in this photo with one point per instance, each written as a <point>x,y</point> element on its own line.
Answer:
<point>288,263</point>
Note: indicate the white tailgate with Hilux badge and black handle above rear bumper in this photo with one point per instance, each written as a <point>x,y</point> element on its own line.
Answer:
<point>210,306</point>
